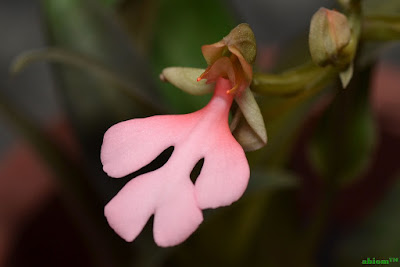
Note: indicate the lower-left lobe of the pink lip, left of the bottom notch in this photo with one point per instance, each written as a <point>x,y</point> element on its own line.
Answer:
<point>128,212</point>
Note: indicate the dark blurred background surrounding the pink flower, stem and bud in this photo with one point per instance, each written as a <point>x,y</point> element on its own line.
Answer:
<point>88,64</point>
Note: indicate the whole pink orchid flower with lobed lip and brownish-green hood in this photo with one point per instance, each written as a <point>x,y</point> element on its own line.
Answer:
<point>168,192</point>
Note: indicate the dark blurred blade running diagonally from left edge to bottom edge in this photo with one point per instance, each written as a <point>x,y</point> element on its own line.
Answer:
<point>80,198</point>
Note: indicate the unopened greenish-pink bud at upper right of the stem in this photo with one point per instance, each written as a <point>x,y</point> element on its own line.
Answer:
<point>329,34</point>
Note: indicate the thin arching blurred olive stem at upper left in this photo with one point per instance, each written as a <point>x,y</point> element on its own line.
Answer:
<point>87,63</point>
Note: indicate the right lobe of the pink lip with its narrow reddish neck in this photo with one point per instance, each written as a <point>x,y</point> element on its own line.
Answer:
<point>225,173</point>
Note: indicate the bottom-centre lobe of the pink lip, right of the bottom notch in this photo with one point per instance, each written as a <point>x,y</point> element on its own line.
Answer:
<point>178,216</point>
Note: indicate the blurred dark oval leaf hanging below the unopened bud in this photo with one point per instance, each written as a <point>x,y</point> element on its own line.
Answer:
<point>343,142</point>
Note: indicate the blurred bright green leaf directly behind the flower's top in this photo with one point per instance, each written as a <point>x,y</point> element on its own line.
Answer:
<point>181,29</point>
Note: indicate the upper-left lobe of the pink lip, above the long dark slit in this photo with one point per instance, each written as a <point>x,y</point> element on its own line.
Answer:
<point>130,145</point>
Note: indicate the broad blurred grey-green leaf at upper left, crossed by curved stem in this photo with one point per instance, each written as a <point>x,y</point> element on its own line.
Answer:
<point>85,27</point>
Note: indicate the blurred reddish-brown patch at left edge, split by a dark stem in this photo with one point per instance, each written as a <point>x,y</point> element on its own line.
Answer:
<point>26,183</point>
